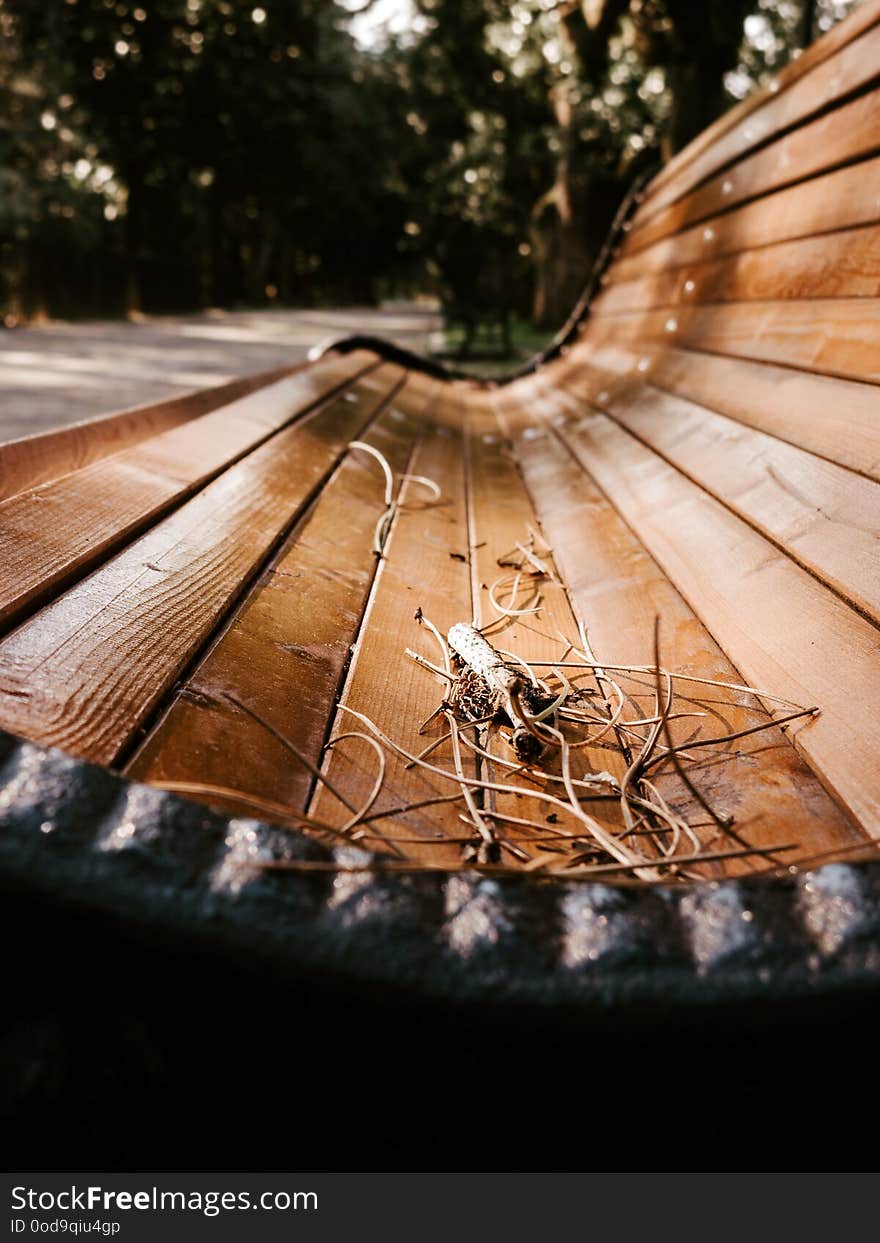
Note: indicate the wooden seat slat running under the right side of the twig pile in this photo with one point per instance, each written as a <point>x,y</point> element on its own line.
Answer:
<point>617,590</point>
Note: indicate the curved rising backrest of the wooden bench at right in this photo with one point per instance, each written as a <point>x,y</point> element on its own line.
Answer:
<point>730,365</point>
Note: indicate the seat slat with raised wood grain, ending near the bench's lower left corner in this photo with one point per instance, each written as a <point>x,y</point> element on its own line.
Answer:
<point>86,672</point>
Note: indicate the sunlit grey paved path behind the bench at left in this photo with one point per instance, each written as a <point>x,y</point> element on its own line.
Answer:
<point>58,374</point>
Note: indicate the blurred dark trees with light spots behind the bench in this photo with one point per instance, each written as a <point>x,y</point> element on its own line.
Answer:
<point>172,156</point>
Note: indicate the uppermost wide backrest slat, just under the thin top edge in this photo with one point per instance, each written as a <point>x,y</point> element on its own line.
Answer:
<point>850,70</point>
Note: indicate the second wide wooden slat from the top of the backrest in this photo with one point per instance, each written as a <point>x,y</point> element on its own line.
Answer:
<point>850,134</point>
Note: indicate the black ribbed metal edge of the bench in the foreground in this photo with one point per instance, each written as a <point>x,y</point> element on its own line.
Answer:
<point>94,846</point>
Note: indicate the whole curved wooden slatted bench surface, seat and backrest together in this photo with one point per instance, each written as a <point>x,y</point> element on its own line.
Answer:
<point>192,595</point>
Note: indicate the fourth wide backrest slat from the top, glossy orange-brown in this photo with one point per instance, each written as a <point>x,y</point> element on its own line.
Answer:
<point>842,265</point>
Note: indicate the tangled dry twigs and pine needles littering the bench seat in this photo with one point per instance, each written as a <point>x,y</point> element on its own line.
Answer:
<point>565,768</point>
